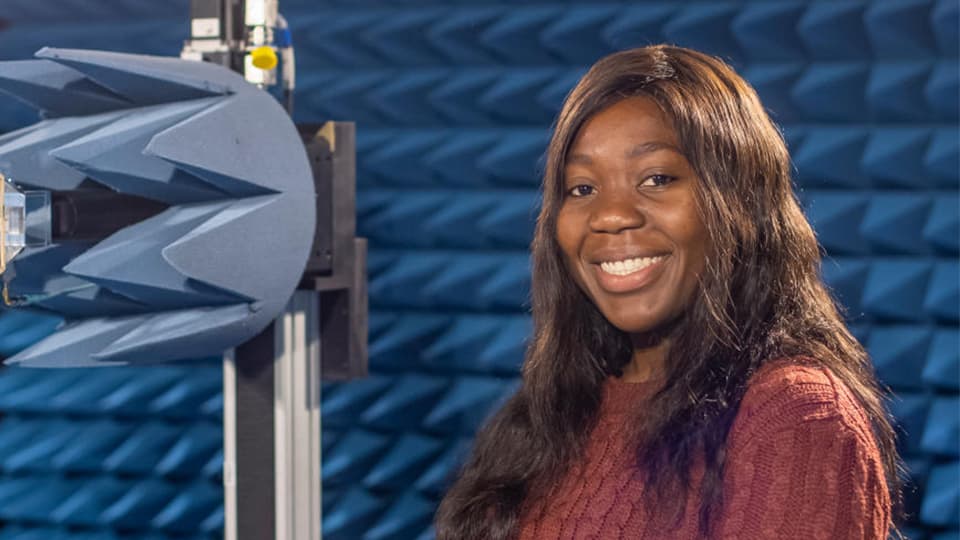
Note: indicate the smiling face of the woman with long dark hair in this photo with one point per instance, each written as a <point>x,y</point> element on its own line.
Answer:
<point>628,224</point>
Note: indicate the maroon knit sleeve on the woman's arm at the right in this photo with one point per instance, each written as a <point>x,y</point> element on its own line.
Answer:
<point>801,463</point>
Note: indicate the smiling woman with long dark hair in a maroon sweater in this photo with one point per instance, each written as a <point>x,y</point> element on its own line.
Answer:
<point>689,375</point>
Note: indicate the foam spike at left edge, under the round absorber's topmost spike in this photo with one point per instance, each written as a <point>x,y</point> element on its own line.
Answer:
<point>55,89</point>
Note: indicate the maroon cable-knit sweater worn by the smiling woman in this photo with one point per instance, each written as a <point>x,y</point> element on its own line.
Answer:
<point>801,464</point>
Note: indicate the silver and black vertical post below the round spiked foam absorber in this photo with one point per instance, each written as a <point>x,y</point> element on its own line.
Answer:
<point>271,395</point>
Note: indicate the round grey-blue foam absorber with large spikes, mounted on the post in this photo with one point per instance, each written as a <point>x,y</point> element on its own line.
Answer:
<point>218,264</point>
